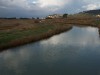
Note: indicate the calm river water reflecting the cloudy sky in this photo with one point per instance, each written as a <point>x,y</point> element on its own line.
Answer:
<point>76,52</point>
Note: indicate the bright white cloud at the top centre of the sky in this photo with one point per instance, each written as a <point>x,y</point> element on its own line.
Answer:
<point>51,5</point>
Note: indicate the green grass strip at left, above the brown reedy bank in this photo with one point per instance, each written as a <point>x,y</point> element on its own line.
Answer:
<point>5,37</point>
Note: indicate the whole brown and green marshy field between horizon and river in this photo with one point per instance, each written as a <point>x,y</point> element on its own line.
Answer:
<point>15,32</point>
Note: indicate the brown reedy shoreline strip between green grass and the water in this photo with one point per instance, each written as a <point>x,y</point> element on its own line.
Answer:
<point>32,38</point>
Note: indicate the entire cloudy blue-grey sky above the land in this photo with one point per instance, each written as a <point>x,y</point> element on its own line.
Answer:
<point>41,8</point>
